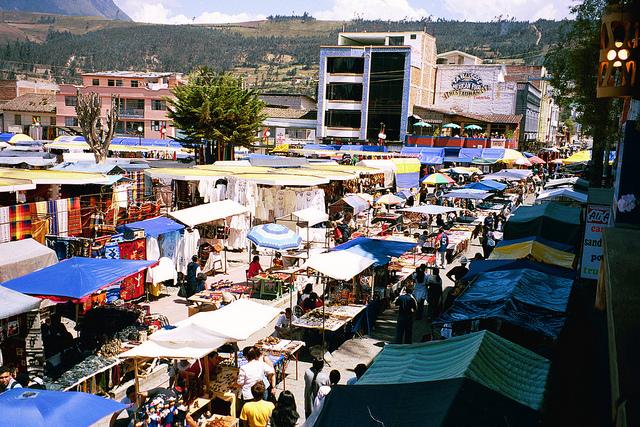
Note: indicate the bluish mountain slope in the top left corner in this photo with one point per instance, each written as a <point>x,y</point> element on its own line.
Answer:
<point>104,8</point>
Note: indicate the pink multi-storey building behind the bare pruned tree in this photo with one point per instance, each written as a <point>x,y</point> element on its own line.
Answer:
<point>142,101</point>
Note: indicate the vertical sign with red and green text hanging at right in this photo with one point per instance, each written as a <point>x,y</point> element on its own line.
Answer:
<point>598,218</point>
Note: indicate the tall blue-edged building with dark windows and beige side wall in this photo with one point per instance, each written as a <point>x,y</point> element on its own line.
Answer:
<point>371,81</point>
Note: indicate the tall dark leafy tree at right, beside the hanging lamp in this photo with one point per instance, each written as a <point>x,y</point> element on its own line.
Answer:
<point>573,64</point>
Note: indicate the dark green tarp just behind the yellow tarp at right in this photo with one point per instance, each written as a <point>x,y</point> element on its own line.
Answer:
<point>551,221</point>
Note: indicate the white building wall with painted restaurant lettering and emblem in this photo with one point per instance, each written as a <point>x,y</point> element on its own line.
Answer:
<point>479,89</point>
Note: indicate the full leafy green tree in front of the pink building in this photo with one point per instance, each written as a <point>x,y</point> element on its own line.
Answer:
<point>215,109</point>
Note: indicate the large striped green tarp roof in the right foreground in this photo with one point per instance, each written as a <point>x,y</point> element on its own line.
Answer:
<point>483,357</point>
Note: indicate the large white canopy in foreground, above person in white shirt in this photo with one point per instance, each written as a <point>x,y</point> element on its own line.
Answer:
<point>202,333</point>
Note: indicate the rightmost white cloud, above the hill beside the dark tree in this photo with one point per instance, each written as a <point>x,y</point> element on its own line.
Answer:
<point>529,10</point>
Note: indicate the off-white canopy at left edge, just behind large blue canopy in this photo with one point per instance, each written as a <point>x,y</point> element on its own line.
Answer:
<point>23,257</point>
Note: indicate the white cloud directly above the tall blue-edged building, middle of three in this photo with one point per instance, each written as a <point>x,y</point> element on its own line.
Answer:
<point>371,9</point>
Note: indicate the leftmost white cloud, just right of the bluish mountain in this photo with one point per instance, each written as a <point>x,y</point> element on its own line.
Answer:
<point>162,12</point>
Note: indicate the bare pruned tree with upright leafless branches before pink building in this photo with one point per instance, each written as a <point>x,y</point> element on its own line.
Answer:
<point>98,137</point>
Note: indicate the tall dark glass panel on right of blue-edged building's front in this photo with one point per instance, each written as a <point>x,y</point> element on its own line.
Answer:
<point>386,83</point>
